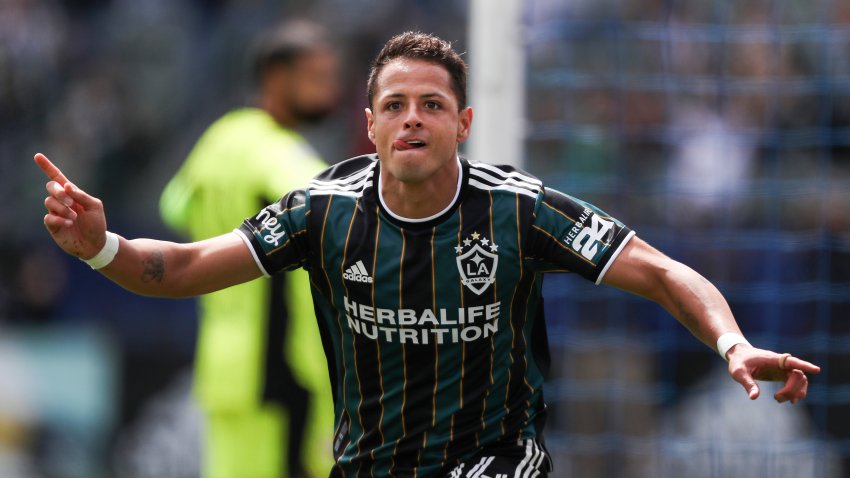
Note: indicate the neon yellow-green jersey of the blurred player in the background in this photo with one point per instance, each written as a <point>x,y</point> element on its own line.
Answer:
<point>249,333</point>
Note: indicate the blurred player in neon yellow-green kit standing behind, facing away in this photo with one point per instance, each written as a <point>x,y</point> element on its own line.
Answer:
<point>260,375</point>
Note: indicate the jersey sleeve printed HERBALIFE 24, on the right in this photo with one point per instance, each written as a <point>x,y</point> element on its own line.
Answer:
<point>570,235</point>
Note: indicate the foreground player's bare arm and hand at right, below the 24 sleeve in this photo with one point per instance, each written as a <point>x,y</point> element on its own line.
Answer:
<point>700,307</point>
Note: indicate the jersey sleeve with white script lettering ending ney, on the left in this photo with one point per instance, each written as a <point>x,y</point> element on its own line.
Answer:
<point>277,235</point>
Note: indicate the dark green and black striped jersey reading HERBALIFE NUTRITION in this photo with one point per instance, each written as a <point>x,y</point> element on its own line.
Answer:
<point>433,327</point>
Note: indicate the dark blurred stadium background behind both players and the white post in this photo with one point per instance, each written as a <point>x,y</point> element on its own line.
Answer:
<point>720,131</point>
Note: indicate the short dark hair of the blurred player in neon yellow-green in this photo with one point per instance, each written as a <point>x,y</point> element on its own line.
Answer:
<point>286,43</point>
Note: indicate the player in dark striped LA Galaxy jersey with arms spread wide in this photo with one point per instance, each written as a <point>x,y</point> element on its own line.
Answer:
<point>426,271</point>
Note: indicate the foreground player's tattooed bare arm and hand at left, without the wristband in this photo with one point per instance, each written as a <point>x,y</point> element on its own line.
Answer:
<point>77,223</point>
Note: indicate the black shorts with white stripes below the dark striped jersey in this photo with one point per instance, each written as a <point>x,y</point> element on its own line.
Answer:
<point>521,459</point>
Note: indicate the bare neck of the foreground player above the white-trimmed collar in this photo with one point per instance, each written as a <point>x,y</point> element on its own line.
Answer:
<point>421,200</point>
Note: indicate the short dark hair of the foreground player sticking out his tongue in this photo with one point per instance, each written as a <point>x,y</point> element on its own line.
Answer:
<point>421,46</point>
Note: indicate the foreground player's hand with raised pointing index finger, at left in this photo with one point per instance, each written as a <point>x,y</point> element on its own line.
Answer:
<point>74,219</point>
